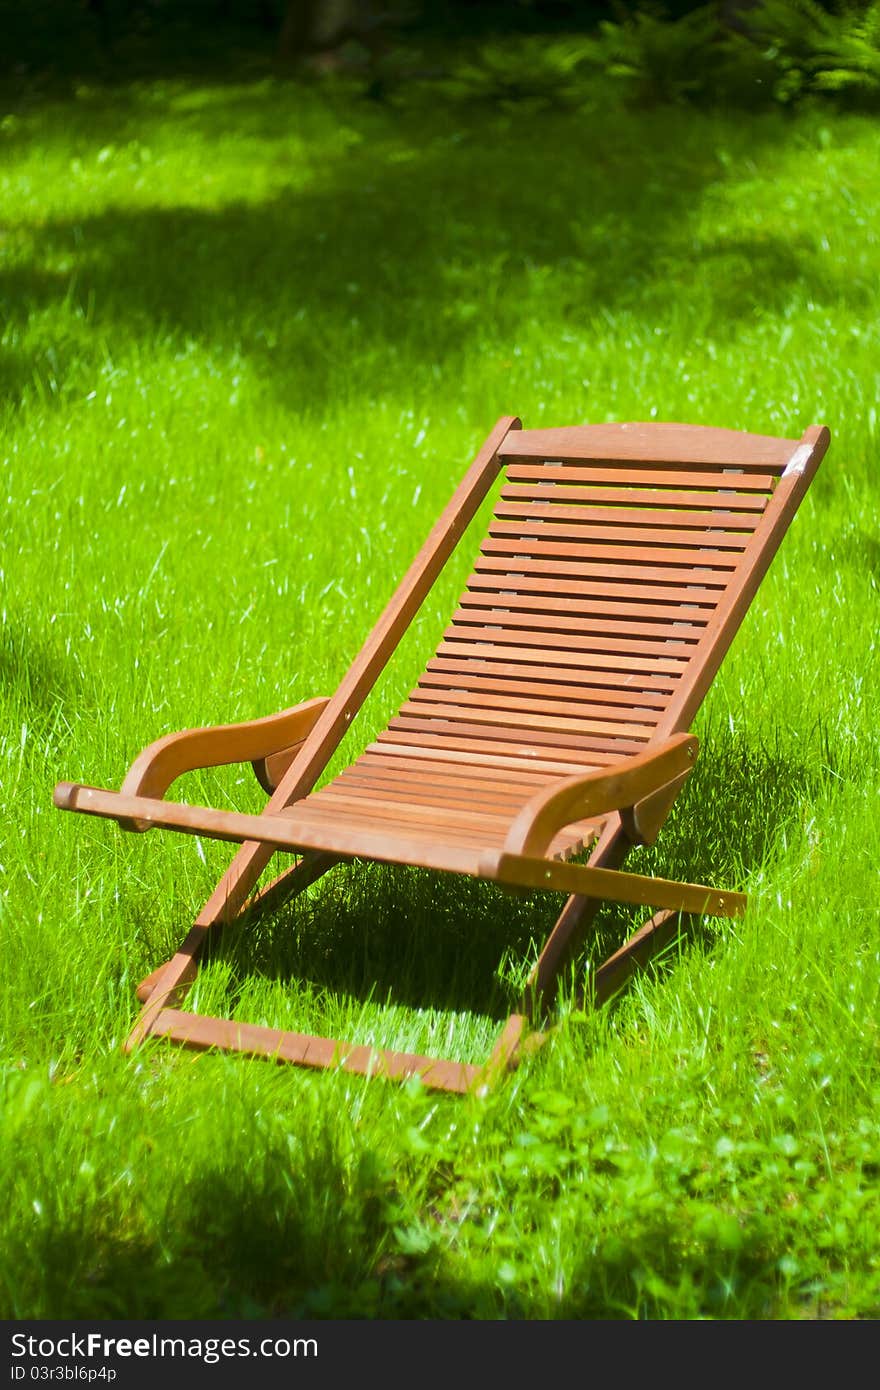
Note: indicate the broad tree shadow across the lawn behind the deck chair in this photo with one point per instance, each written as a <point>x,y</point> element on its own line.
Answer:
<point>423,234</point>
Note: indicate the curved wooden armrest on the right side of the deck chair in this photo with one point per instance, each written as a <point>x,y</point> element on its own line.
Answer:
<point>621,787</point>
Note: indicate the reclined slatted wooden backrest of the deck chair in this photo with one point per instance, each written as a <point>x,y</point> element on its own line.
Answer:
<point>618,568</point>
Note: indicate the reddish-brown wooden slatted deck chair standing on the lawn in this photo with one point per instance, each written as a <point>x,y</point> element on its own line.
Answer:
<point>619,564</point>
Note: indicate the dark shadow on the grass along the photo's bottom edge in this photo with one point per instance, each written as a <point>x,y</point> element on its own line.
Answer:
<point>323,1241</point>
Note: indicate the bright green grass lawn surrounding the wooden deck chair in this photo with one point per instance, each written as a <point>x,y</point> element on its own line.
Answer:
<point>252,336</point>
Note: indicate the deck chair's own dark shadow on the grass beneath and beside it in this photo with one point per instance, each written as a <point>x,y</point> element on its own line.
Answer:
<point>444,942</point>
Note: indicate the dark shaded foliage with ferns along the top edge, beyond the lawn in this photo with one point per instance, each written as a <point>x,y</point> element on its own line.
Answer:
<point>572,58</point>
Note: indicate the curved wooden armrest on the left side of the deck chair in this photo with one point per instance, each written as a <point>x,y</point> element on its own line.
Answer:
<point>163,762</point>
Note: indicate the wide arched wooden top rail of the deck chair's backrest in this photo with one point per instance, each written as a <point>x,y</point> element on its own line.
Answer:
<point>654,443</point>
